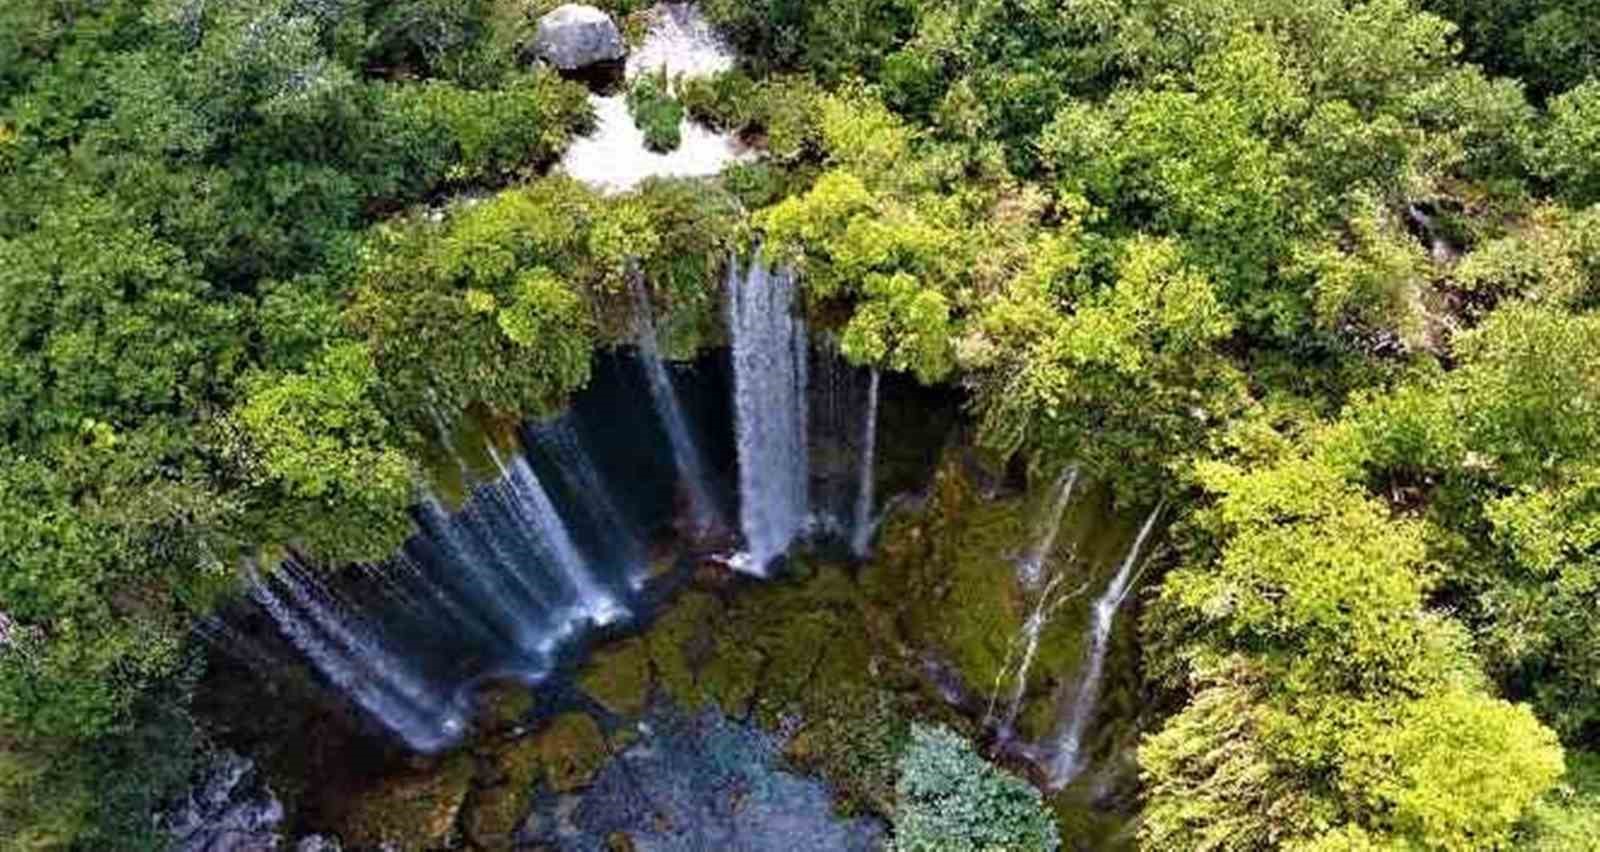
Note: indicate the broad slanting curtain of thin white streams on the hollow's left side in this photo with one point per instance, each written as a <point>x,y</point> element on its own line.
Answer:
<point>494,590</point>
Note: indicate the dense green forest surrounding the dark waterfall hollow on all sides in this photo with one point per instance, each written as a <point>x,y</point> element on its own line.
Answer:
<point>1319,276</point>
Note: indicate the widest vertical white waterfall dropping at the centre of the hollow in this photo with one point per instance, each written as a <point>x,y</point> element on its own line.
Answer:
<point>770,411</point>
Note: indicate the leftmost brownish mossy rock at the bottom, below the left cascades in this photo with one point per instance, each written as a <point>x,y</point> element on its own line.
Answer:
<point>415,810</point>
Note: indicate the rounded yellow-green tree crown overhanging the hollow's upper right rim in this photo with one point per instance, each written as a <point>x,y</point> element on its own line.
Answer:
<point>1122,380</point>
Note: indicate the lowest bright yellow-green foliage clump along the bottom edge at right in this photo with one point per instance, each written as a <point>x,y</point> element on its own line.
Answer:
<point>1454,771</point>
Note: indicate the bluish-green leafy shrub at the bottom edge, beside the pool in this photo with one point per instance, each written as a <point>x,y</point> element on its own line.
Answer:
<point>953,800</point>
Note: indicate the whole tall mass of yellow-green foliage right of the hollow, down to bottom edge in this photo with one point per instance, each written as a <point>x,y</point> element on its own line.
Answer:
<point>1330,709</point>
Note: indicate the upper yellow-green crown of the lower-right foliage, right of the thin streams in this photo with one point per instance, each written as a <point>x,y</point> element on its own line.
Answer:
<point>1313,574</point>
